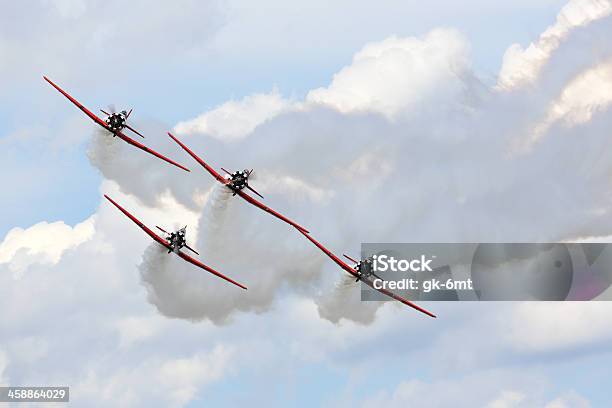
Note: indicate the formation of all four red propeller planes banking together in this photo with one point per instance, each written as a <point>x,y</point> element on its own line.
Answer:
<point>237,182</point>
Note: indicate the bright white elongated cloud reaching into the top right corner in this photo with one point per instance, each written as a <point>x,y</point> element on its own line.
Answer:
<point>522,66</point>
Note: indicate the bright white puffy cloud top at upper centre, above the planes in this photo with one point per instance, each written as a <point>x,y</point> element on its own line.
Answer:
<point>396,75</point>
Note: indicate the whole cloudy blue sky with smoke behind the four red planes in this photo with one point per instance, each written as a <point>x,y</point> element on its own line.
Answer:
<point>389,122</point>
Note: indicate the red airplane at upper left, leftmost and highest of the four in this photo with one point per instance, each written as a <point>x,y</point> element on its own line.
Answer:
<point>115,123</point>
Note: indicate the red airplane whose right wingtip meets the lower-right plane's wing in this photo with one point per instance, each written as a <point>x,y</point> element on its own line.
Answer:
<point>236,182</point>
